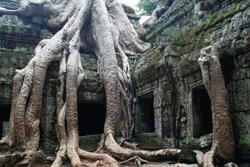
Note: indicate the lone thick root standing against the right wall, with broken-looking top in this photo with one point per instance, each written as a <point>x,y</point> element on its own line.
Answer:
<point>223,138</point>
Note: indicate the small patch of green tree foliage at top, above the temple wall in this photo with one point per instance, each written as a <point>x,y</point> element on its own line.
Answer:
<point>148,6</point>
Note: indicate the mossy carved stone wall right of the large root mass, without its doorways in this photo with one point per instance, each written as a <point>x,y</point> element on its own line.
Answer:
<point>170,68</point>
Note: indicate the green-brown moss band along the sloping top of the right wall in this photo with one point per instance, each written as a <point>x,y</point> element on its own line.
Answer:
<point>195,38</point>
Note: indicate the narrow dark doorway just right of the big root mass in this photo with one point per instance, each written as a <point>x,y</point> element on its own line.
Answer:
<point>145,116</point>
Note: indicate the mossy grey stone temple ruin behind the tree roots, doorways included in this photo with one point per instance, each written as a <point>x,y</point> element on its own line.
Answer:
<point>171,106</point>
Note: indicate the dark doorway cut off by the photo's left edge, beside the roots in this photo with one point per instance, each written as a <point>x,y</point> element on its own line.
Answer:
<point>4,119</point>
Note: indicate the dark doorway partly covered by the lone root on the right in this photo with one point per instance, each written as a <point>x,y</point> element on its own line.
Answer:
<point>202,113</point>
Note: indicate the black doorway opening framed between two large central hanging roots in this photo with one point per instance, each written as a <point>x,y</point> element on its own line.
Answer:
<point>91,118</point>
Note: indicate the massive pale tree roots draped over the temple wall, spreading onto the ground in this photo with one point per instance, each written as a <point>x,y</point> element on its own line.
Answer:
<point>111,37</point>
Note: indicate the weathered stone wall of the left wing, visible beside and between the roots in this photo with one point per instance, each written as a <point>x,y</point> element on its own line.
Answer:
<point>17,43</point>
